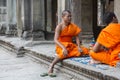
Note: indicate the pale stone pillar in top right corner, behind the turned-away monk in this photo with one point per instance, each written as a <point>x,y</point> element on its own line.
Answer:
<point>117,8</point>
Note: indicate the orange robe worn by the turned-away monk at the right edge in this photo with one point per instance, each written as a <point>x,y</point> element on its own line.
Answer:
<point>110,38</point>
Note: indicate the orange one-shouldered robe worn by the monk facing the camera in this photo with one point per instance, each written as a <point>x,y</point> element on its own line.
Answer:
<point>66,39</point>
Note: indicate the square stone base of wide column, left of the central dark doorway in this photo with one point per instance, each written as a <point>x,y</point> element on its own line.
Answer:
<point>38,35</point>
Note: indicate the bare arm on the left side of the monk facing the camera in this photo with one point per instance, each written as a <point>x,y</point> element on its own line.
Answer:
<point>56,37</point>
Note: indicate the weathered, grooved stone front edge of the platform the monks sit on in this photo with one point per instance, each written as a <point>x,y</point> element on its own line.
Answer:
<point>92,74</point>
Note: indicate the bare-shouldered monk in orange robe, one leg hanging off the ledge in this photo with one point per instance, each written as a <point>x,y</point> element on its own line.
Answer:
<point>64,33</point>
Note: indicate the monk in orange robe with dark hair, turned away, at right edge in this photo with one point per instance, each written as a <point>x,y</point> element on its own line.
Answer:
<point>107,47</point>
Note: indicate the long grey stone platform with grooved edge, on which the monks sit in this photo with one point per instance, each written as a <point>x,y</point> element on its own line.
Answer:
<point>44,51</point>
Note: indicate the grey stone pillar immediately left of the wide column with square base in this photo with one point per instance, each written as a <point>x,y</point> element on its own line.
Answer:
<point>27,19</point>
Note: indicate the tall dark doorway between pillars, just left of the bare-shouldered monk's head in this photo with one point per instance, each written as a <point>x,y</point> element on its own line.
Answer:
<point>50,21</point>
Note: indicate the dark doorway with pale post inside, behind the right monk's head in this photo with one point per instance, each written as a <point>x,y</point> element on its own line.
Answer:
<point>99,8</point>
